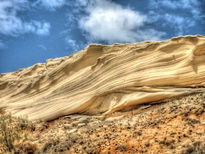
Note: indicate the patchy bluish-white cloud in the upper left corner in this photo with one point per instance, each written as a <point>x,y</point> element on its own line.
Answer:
<point>12,24</point>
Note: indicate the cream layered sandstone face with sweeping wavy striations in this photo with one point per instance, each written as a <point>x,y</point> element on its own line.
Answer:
<point>106,78</point>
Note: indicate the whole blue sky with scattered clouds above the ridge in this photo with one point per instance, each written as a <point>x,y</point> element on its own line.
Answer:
<point>32,31</point>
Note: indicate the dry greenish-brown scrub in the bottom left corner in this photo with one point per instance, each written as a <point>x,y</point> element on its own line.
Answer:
<point>13,133</point>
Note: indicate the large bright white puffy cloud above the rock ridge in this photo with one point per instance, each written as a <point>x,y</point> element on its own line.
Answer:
<point>108,21</point>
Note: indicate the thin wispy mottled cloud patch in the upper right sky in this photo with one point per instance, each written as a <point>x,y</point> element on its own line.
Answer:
<point>180,23</point>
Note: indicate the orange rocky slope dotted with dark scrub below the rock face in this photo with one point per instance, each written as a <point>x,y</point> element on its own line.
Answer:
<point>173,126</point>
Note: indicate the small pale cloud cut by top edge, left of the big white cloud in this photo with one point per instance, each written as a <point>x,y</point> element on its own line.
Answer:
<point>52,4</point>
